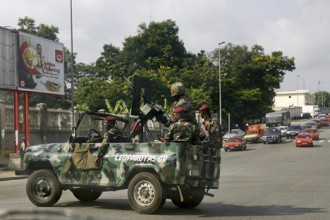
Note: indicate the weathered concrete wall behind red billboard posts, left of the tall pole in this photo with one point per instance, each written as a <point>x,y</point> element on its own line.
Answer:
<point>45,126</point>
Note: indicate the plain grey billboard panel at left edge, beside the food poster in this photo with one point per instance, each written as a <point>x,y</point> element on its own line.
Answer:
<point>8,59</point>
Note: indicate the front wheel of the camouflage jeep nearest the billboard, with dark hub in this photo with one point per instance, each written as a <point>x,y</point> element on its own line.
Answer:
<point>43,188</point>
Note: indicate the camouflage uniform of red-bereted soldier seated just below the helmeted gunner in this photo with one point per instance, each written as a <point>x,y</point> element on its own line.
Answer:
<point>181,131</point>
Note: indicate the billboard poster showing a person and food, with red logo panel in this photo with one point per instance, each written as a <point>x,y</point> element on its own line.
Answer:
<point>40,65</point>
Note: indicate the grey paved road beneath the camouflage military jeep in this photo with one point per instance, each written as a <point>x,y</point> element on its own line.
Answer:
<point>267,181</point>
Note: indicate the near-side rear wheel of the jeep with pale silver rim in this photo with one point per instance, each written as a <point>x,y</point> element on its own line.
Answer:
<point>145,193</point>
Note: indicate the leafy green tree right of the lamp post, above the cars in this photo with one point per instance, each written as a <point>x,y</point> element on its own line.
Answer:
<point>249,80</point>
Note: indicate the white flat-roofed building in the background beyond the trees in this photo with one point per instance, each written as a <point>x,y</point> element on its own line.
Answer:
<point>298,98</point>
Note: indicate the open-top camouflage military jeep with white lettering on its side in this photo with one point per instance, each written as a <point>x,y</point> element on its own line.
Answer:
<point>151,171</point>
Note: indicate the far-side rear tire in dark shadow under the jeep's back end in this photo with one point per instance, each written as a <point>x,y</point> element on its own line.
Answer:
<point>191,198</point>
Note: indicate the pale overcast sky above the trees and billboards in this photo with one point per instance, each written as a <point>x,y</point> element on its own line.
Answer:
<point>298,28</point>
